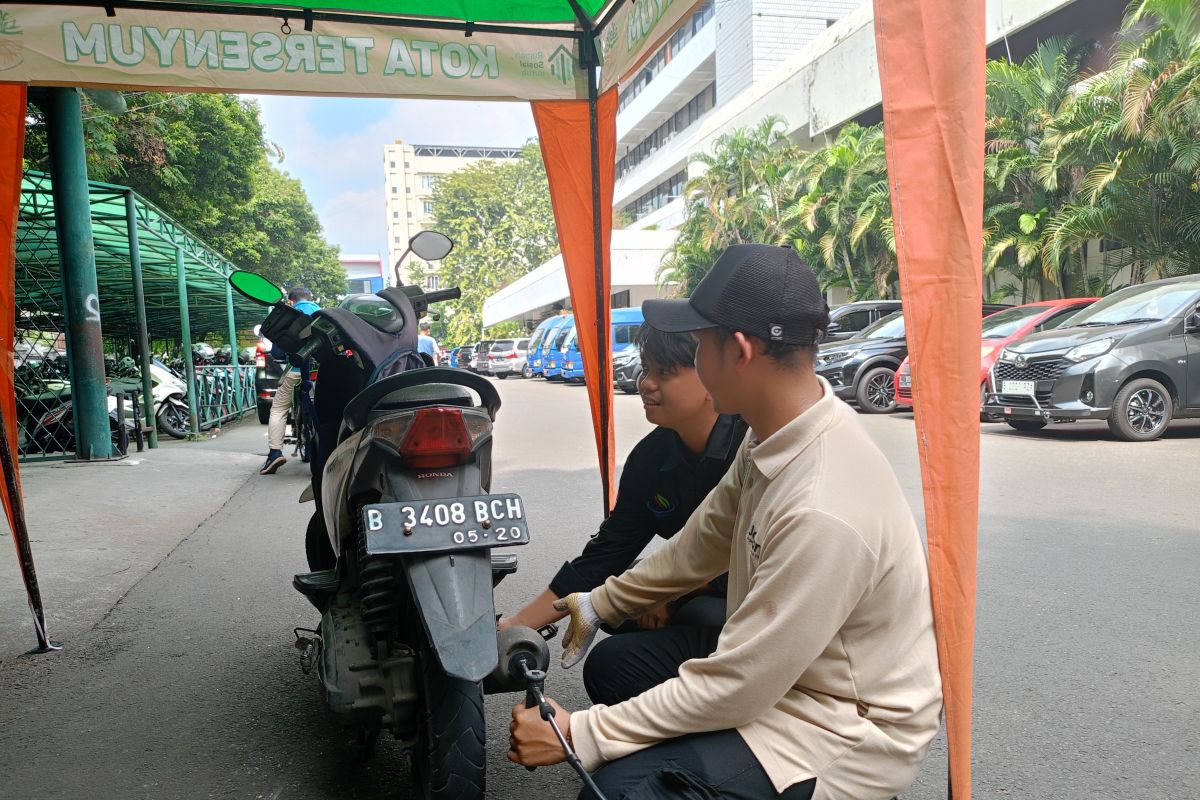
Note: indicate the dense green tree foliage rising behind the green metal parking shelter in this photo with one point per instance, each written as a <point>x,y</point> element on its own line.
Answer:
<point>203,160</point>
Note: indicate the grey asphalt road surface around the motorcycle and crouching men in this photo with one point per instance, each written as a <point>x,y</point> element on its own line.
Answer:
<point>1088,678</point>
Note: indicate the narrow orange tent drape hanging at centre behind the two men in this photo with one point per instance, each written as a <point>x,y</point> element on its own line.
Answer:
<point>579,145</point>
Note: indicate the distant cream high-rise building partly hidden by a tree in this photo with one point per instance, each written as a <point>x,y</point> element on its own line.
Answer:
<point>412,171</point>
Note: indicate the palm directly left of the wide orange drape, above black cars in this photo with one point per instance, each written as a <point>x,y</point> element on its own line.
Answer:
<point>843,224</point>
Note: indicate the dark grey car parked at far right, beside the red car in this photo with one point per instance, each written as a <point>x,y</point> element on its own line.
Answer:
<point>1132,360</point>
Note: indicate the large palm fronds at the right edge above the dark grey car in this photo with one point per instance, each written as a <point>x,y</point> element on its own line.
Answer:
<point>1133,134</point>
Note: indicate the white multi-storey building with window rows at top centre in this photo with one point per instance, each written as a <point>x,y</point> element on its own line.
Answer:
<point>715,56</point>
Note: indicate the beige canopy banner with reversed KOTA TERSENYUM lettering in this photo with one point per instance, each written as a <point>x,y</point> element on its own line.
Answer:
<point>167,50</point>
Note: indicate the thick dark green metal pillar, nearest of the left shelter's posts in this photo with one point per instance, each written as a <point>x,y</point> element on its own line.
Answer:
<point>81,296</point>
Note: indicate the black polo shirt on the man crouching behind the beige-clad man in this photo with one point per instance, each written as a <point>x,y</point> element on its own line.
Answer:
<point>661,486</point>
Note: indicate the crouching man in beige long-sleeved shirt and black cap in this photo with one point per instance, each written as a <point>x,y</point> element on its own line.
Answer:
<point>824,683</point>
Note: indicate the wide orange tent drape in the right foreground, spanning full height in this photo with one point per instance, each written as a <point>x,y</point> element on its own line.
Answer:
<point>932,68</point>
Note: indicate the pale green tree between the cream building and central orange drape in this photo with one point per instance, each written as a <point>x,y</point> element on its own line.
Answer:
<point>500,216</point>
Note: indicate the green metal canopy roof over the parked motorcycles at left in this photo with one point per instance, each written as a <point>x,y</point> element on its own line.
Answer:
<point>40,278</point>
